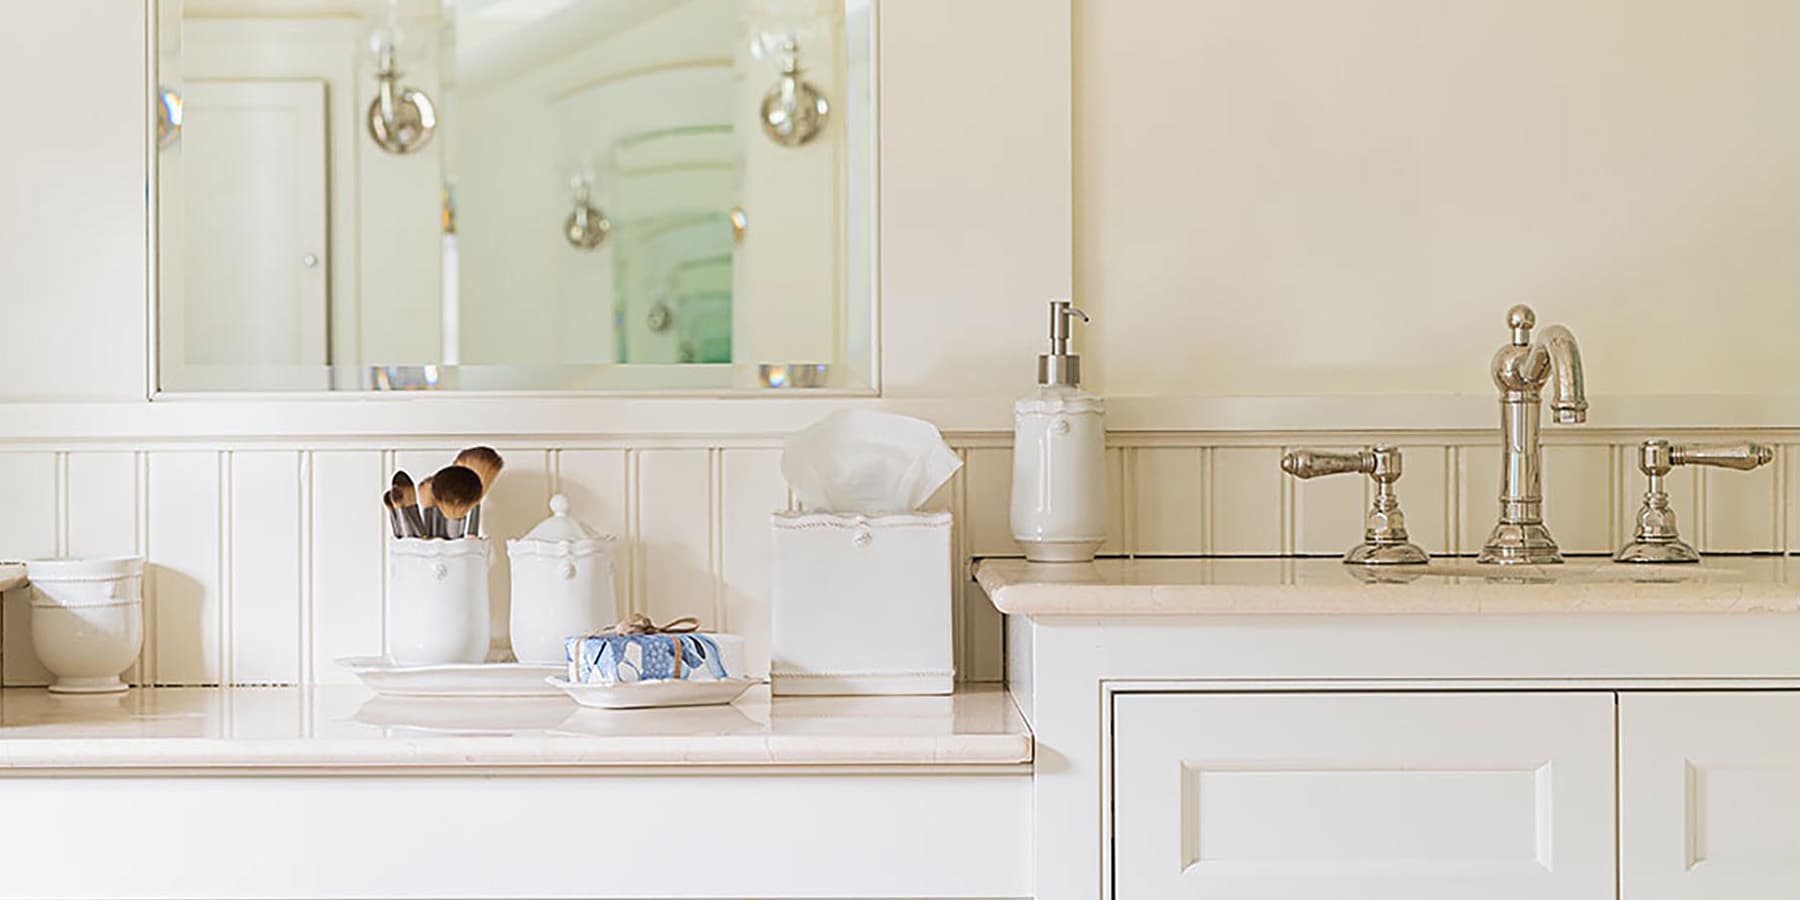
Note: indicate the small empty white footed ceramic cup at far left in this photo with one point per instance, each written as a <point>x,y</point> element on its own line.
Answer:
<point>87,620</point>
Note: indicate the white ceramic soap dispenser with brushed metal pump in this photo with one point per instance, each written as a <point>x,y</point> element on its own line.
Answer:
<point>1059,507</point>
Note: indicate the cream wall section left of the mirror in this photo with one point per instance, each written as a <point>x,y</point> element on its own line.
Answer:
<point>73,222</point>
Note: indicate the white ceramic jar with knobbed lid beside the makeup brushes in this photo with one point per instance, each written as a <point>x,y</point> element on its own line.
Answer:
<point>562,586</point>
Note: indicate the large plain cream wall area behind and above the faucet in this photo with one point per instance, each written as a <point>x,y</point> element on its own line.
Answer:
<point>1297,197</point>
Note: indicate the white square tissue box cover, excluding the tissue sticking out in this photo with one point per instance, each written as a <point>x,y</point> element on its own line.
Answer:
<point>861,604</point>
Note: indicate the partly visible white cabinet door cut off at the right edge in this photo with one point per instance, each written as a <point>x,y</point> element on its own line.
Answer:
<point>1711,795</point>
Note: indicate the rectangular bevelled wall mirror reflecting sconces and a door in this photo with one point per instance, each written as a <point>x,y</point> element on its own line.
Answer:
<point>514,195</point>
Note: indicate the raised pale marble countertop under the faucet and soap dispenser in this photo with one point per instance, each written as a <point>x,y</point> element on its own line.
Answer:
<point>1329,588</point>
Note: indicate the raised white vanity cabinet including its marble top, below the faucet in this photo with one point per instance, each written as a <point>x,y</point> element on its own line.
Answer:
<point>1300,730</point>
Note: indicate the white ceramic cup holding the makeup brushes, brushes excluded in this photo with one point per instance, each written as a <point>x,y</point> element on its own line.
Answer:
<point>438,602</point>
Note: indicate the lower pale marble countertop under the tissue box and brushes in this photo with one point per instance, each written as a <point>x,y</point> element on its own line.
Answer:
<point>352,728</point>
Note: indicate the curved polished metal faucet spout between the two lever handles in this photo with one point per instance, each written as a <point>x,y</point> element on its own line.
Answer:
<point>1522,370</point>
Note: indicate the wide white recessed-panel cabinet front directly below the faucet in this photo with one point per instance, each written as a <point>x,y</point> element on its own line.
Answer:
<point>1347,796</point>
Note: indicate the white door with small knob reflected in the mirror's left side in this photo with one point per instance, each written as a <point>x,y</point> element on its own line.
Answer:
<point>255,271</point>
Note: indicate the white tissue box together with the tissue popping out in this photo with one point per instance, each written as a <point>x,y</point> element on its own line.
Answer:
<point>861,580</point>
